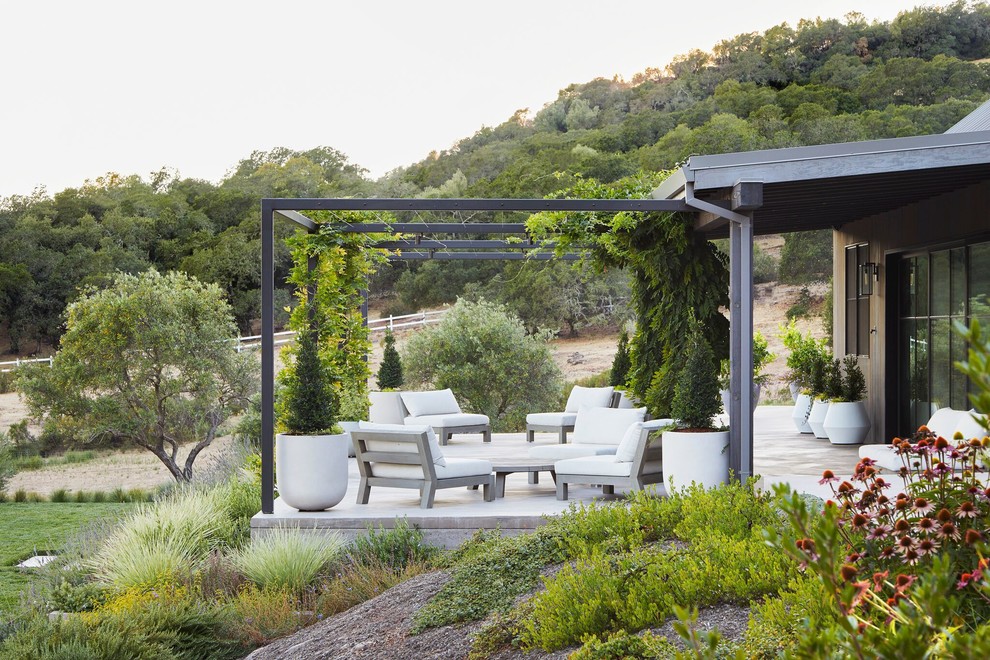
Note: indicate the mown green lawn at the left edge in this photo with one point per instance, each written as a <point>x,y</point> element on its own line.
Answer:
<point>30,529</point>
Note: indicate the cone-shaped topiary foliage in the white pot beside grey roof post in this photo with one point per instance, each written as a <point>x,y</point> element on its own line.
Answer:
<point>696,393</point>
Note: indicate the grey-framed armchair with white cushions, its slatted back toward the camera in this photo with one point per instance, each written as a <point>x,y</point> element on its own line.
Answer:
<point>402,456</point>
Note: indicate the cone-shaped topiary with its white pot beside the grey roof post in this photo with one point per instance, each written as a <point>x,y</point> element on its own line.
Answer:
<point>696,451</point>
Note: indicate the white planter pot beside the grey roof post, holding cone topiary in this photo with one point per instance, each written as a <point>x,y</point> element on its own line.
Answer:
<point>701,458</point>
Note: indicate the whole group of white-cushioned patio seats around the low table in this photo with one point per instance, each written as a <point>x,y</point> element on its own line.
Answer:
<point>612,444</point>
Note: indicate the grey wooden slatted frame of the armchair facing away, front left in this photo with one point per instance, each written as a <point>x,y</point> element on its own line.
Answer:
<point>423,457</point>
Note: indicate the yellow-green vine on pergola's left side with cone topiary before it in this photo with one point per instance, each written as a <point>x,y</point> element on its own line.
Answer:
<point>327,318</point>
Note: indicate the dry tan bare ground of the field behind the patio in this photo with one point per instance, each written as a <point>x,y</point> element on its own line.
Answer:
<point>577,357</point>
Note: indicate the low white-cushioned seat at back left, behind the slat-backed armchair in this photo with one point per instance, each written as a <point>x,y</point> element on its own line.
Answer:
<point>436,408</point>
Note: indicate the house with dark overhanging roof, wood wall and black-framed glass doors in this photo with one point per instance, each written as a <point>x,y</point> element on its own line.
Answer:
<point>911,238</point>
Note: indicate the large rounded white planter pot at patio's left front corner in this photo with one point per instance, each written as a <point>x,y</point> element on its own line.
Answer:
<point>311,470</point>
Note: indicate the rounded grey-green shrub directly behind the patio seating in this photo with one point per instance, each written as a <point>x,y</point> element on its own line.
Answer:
<point>484,355</point>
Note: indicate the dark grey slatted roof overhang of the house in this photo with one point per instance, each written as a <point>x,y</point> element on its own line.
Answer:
<point>829,185</point>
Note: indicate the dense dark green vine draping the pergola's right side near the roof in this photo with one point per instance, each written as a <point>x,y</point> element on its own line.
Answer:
<point>675,273</point>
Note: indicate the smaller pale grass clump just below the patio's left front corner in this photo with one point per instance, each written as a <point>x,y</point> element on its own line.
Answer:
<point>287,559</point>
